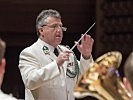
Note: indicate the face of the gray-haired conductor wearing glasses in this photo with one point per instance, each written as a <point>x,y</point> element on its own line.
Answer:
<point>52,32</point>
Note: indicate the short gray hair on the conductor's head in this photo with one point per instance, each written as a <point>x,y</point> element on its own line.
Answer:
<point>41,18</point>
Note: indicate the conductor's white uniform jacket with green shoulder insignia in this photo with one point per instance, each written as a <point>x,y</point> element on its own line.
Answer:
<point>42,78</point>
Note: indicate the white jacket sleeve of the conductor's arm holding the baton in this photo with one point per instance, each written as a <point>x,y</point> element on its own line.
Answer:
<point>32,74</point>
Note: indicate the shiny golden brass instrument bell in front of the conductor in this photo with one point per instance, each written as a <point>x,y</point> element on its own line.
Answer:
<point>102,80</point>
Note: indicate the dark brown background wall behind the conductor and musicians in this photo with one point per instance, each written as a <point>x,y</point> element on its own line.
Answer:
<point>113,29</point>
